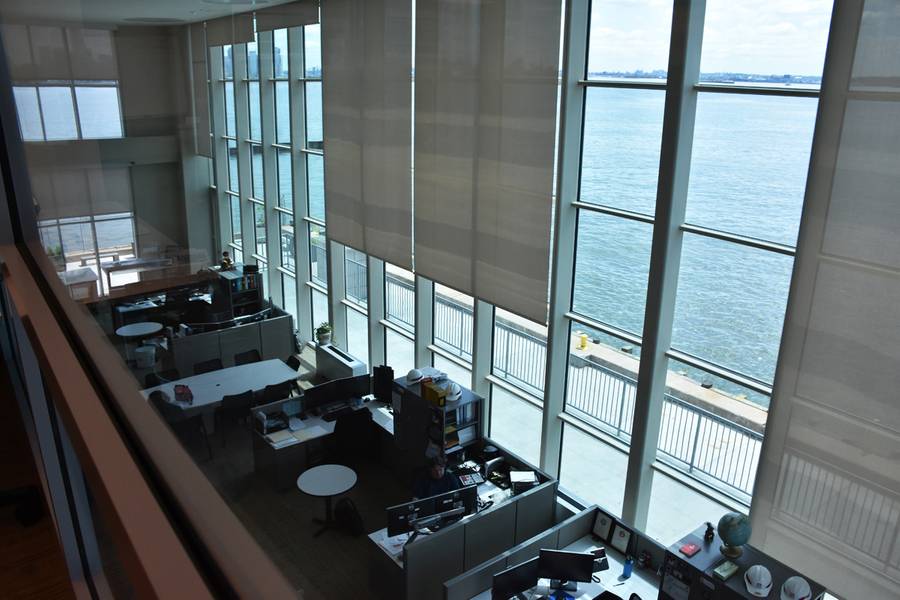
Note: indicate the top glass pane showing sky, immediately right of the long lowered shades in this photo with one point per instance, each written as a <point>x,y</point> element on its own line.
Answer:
<point>629,39</point>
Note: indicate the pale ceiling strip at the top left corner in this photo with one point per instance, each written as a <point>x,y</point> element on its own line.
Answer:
<point>125,12</point>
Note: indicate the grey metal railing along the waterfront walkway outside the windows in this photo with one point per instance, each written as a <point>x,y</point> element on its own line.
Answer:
<point>708,446</point>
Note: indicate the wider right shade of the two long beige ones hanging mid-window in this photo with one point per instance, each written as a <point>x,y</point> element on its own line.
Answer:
<point>486,86</point>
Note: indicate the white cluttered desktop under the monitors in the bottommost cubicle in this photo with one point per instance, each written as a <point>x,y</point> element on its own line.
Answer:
<point>641,582</point>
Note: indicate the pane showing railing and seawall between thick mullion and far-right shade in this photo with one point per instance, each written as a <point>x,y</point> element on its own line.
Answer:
<point>712,429</point>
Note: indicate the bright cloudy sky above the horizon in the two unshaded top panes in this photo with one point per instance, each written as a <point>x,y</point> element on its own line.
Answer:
<point>740,36</point>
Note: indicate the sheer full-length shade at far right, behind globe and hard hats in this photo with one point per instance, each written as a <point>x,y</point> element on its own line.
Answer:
<point>827,498</point>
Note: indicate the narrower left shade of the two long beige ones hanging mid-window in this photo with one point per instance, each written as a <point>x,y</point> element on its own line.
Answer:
<point>366,58</point>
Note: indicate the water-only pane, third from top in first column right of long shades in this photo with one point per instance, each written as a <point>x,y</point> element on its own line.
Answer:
<point>612,265</point>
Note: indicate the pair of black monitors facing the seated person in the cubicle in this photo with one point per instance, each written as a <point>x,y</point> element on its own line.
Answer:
<point>432,512</point>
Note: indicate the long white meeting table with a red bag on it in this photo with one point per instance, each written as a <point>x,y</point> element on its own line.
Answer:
<point>208,388</point>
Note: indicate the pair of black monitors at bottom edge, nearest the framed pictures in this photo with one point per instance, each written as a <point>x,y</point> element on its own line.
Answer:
<point>563,569</point>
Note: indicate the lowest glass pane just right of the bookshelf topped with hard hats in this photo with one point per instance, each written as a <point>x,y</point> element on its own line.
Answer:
<point>516,424</point>
